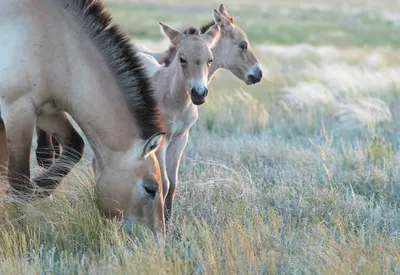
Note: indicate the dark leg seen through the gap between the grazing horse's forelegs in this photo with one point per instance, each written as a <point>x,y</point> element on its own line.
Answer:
<point>44,150</point>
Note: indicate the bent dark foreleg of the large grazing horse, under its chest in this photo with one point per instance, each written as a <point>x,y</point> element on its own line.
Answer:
<point>72,144</point>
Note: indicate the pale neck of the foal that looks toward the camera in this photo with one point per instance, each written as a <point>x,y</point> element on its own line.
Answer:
<point>171,87</point>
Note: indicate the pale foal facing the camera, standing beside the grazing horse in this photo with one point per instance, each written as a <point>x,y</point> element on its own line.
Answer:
<point>181,86</point>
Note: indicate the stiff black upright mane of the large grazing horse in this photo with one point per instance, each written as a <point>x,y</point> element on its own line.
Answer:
<point>123,62</point>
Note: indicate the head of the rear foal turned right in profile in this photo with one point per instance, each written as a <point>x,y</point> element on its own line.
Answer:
<point>233,49</point>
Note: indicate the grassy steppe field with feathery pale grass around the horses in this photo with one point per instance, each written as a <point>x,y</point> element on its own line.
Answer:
<point>298,174</point>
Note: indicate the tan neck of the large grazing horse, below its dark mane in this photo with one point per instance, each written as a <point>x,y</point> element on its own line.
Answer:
<point>95,100</point>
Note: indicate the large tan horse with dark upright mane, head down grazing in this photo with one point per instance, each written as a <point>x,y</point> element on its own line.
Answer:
<point>60,56</point>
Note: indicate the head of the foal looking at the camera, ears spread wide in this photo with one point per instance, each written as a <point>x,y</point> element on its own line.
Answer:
<point>194,57</point>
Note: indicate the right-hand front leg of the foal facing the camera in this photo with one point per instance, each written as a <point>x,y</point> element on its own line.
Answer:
<point>174,154</point>
